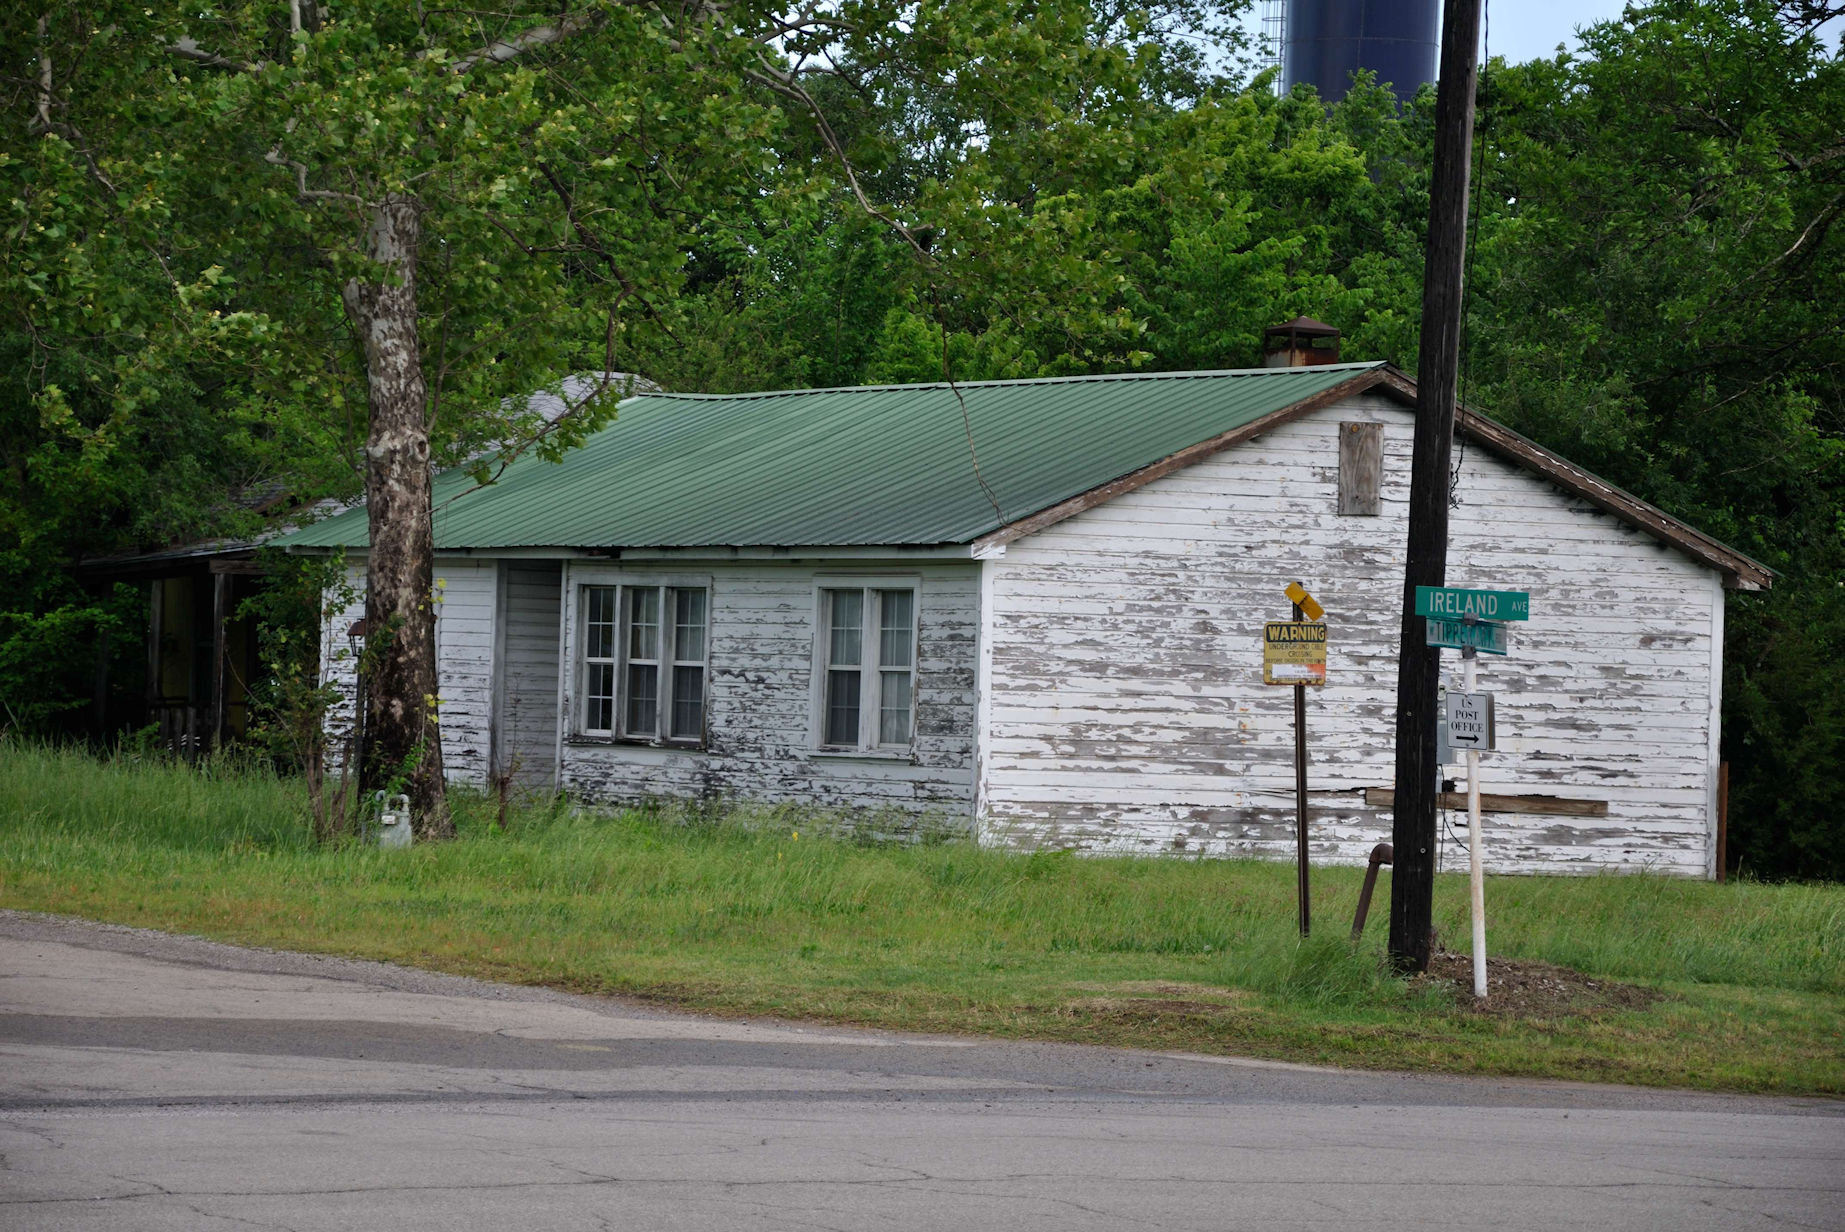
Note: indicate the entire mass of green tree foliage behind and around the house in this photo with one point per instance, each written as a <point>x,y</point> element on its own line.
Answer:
<point>1054,187</point>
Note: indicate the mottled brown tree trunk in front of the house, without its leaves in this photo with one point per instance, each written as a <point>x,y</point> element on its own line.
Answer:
<point>399,750</point>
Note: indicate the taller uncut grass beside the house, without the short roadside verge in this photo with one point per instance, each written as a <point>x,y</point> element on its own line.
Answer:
<point>774,886</point>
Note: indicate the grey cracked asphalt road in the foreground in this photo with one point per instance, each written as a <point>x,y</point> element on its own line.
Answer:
<point>152,1082</point>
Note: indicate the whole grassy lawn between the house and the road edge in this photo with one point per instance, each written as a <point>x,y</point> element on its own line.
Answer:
<point>767,914</point>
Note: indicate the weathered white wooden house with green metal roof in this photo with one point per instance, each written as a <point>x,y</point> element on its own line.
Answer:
<point>1038,606</point>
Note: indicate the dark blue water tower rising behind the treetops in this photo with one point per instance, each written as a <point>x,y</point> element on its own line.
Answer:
<point>1331,40</point>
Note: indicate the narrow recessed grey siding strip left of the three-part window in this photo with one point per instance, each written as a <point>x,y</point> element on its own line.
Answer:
<point>527,724</point>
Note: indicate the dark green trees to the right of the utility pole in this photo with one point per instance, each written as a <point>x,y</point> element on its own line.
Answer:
<point>1656,296</point>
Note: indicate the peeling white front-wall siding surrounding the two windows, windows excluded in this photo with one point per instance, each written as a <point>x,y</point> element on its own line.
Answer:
<point>761,698</point>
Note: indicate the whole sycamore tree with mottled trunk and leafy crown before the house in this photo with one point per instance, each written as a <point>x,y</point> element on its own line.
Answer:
<point>385,224</point>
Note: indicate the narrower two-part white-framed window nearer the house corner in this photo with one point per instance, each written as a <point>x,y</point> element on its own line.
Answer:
<point>868,667</point>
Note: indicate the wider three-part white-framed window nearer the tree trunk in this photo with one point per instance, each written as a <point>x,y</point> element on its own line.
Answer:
<point>645,663</point>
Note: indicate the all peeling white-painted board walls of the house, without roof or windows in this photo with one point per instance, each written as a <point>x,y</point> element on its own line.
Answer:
<point>1104,674</point>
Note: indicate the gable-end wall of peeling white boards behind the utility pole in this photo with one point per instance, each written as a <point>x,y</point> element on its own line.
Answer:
<point>1128,709</point>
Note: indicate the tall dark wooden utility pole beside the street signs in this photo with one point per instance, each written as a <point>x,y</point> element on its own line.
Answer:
<point>1436,381</point>
